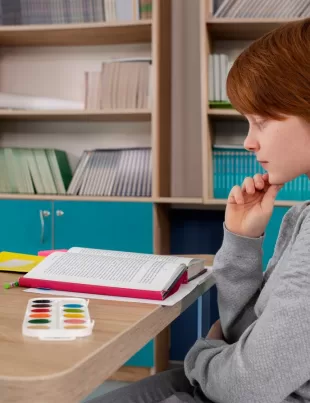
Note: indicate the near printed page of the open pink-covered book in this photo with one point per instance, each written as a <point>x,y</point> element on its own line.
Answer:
<point>107,271</point>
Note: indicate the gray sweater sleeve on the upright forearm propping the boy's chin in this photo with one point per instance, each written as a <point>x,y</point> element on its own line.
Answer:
<point>239,277</point>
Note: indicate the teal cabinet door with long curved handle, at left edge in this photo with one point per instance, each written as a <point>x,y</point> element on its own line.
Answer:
<point>26,225</point>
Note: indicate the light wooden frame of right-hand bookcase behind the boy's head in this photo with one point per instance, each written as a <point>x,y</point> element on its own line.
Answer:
<point>215,34</point>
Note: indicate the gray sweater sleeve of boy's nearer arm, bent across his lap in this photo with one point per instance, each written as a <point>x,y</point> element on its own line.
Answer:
<point>271,358</point>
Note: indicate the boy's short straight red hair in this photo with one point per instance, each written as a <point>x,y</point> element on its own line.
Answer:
<point>271,78</point>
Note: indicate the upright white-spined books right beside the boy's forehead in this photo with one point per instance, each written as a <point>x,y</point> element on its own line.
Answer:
<point>218,68</point>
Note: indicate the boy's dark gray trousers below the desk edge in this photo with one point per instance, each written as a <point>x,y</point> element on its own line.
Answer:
<point>170,386</point>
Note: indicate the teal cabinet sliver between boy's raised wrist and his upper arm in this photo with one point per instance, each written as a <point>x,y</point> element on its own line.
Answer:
<point>272,232</point>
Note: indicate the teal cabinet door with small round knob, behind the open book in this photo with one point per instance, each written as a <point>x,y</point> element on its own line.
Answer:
<point>109,225</point>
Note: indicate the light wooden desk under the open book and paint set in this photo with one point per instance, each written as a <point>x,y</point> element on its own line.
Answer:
<point>33,371</point>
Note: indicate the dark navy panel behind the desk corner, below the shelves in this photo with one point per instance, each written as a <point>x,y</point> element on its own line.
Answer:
<point>194,232</point>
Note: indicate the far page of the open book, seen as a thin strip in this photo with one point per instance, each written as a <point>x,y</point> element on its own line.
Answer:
<point>132,255</point>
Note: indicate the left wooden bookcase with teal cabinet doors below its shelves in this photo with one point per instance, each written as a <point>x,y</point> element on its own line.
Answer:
<point>64,50</point>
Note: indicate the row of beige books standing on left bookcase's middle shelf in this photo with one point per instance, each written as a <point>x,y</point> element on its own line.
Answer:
<point>123,83</point>
